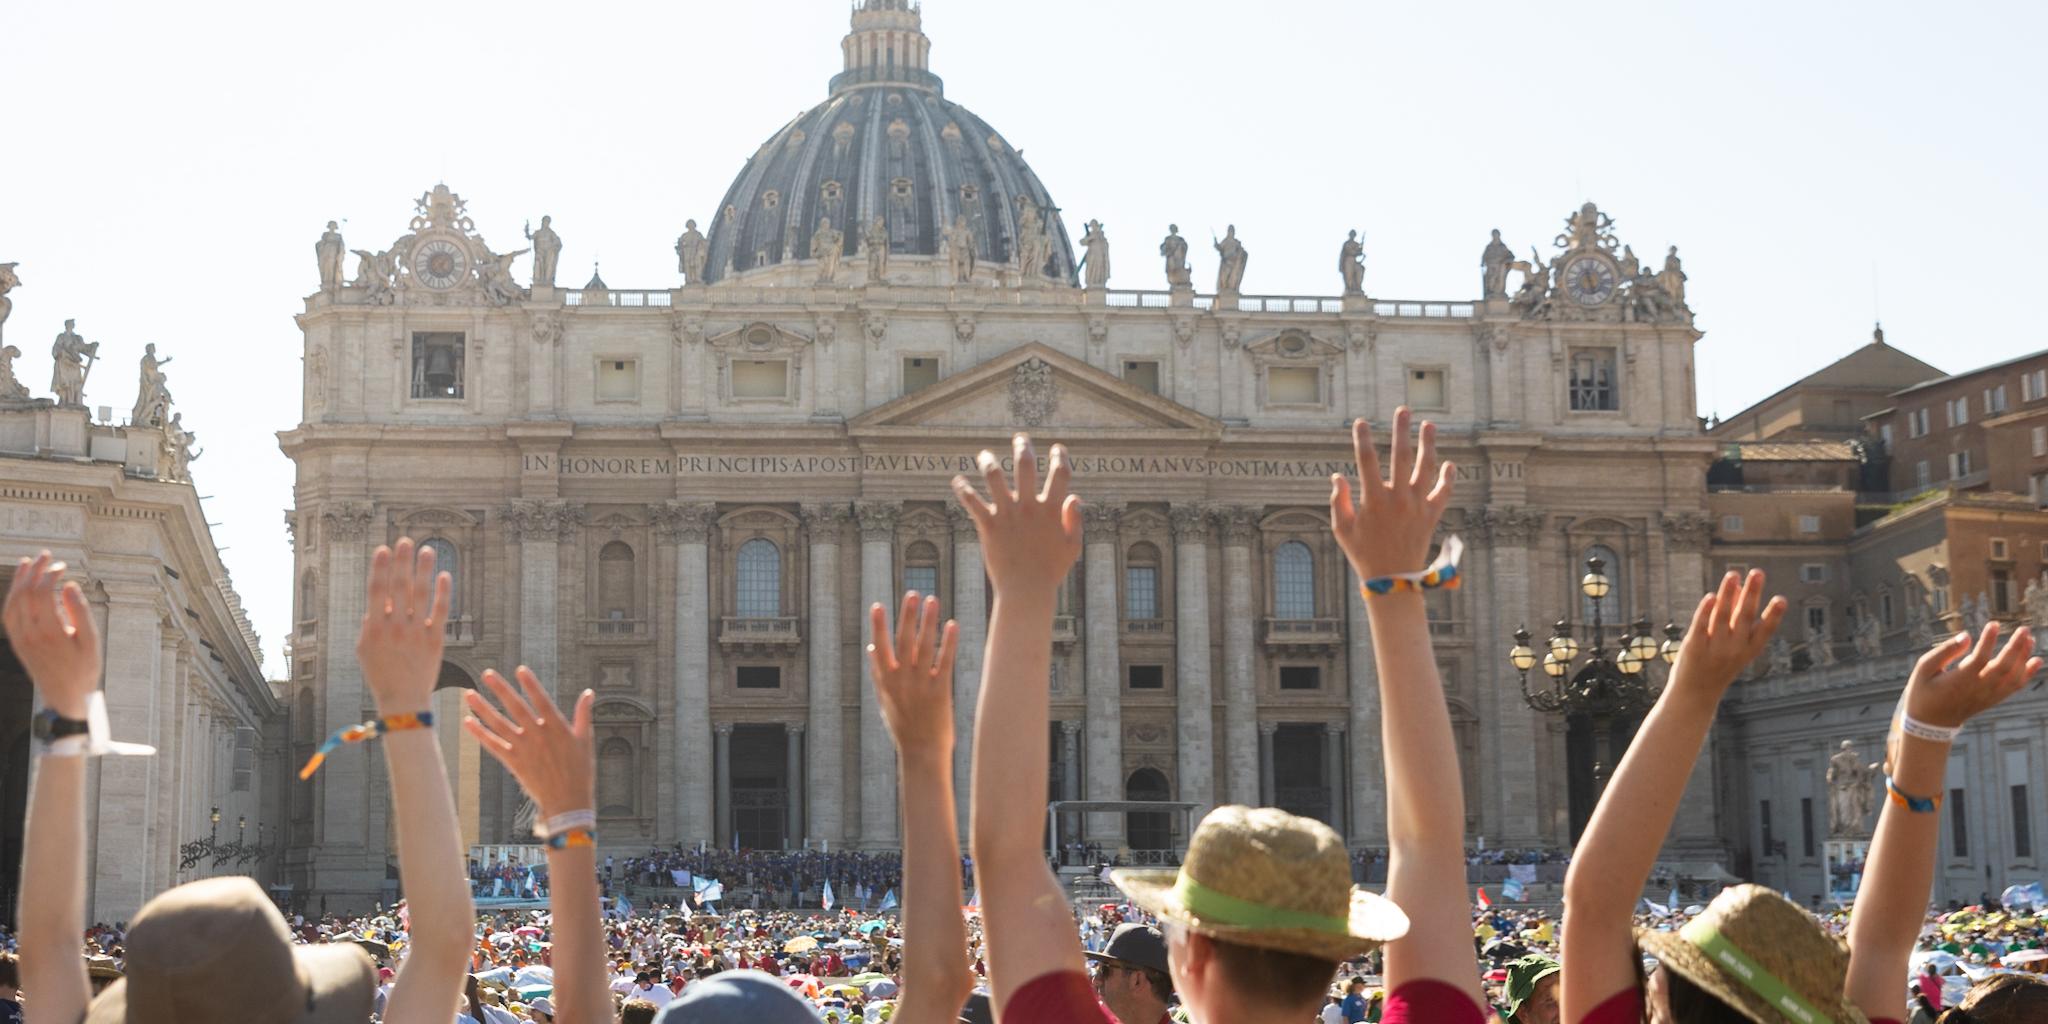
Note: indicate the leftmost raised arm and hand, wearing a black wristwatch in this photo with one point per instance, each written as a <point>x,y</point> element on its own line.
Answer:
<point>62,652</point>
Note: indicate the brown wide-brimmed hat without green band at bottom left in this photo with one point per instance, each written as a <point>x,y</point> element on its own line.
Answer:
<point>218,951</point>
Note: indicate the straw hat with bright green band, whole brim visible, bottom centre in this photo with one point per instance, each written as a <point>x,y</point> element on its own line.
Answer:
<point>1263,878</point>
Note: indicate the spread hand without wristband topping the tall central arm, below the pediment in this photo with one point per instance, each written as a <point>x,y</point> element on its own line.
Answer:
<point>1031,538</point>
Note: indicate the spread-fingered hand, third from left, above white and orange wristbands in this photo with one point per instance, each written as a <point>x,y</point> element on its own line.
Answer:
<point>548,753</point>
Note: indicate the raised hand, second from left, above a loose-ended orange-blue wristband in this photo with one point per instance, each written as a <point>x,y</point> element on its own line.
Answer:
<point>402,628</point>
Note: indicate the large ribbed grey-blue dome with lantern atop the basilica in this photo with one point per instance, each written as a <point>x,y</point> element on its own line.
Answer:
<point>886,144</point>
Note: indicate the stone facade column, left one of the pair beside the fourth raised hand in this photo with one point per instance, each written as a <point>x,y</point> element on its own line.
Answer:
<point>828,740</point>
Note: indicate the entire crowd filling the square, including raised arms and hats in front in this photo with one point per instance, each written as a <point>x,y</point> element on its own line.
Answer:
<point>1258,923</point>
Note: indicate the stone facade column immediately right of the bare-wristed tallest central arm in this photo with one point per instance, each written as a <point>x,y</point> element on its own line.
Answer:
<point>1103,667</point>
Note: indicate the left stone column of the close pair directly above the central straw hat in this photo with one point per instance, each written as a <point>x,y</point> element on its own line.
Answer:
<point>1195,708</point>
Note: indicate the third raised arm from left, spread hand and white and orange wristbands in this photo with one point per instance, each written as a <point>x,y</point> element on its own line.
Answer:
<point>556,765</point>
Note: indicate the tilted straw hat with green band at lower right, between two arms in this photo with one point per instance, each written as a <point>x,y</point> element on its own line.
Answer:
<point>1762,955</point>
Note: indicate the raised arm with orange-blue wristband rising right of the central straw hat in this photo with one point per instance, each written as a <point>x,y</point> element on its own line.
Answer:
<point>1390,534</point>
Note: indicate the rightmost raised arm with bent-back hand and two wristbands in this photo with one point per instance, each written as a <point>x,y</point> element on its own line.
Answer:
<point>1949,687</point>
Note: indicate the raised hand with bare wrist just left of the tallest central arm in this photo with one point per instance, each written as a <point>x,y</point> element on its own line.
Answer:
<point>914,673</point>
